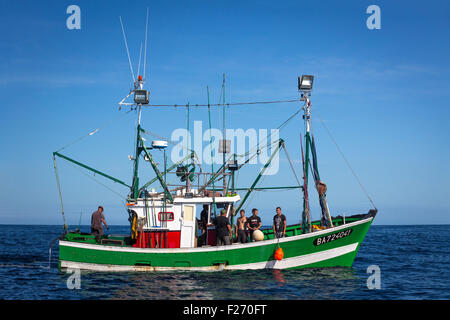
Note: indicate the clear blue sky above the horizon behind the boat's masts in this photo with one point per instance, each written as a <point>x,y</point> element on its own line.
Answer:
<point>382,93</point>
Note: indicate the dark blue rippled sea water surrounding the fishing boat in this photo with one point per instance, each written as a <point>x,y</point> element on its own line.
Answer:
<point>413,260</point>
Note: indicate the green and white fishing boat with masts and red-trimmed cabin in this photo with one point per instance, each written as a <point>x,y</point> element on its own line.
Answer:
<point>164,225</point>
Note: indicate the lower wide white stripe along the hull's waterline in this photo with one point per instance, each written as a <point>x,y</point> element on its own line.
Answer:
<point>272,264</point>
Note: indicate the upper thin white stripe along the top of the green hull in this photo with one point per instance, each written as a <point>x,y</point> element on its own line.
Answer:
<point>209,249</point>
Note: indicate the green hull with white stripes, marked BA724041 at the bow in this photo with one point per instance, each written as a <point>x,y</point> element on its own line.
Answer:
<point>334,247</point>
